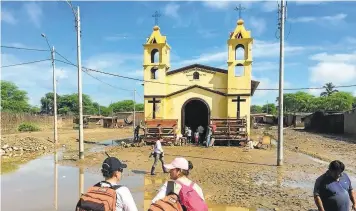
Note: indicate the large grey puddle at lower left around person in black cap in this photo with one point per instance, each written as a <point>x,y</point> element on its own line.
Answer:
<point>41,185</point>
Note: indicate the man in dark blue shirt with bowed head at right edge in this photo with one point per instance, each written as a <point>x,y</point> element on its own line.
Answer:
<point>333,190</point>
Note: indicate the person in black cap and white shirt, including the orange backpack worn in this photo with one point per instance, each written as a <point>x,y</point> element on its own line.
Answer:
<point>108,195</point>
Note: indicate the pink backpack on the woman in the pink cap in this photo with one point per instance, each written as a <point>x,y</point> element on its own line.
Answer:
<point>190,199</point>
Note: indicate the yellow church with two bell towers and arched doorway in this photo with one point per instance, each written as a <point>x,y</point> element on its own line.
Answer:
<point>196,93</point>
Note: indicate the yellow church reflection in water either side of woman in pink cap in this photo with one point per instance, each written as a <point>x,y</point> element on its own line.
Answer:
<point>152,183</point>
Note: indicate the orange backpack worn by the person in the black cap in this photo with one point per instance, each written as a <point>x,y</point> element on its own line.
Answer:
<point>98,198</point>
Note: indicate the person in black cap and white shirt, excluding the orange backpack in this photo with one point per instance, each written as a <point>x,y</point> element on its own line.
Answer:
<point>112,169</point>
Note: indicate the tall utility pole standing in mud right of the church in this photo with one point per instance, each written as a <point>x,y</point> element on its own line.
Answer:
<point>281,78</point>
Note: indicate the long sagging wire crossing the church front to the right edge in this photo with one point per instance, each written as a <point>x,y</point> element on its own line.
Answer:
<point>185,85</point>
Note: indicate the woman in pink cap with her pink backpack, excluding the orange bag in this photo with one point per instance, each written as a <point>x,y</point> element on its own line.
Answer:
<point>181,185</point>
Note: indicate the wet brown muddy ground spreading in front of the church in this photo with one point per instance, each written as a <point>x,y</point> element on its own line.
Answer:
<point>232,175</point>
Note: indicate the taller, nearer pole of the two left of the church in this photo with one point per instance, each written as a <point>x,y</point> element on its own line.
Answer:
<point>80,100</point>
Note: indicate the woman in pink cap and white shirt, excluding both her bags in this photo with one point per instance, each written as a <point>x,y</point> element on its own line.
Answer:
<point>178,171</point>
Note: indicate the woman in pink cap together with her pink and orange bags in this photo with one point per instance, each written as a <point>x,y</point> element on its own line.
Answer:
<point>181,193</point>
